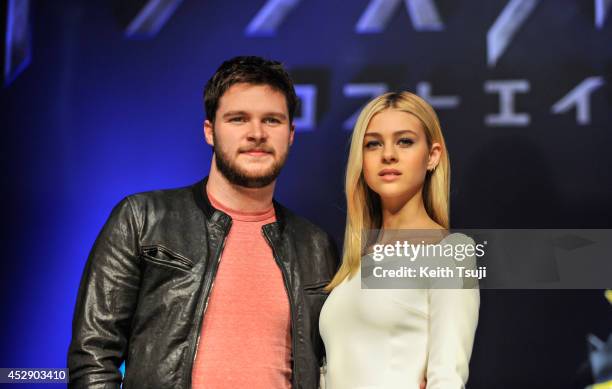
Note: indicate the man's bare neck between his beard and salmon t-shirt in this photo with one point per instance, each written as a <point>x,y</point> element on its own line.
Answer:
<point>238,197</point>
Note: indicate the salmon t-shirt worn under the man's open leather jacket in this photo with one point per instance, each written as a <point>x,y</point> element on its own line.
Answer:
<point>245,340</point>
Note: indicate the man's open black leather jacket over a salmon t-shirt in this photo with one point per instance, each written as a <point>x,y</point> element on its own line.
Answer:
<point>146,285</point>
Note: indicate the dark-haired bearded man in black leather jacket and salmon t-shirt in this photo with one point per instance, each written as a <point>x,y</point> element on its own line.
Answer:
<point>213,285</point>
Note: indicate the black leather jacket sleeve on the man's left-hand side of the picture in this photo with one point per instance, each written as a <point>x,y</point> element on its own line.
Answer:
<point>106,300</point>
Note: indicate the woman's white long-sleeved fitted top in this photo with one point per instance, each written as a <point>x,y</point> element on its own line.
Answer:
<point>393,338</point>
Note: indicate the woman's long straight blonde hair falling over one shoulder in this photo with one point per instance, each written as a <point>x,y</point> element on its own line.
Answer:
<point>363,204</point>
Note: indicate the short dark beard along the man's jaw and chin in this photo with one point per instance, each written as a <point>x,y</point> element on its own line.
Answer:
<point>237,176</point>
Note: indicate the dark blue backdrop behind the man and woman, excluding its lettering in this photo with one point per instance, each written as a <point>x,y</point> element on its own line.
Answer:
<point>97,115</point>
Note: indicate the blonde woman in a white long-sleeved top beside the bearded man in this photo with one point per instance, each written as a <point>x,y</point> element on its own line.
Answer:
<point>397,178</point>
